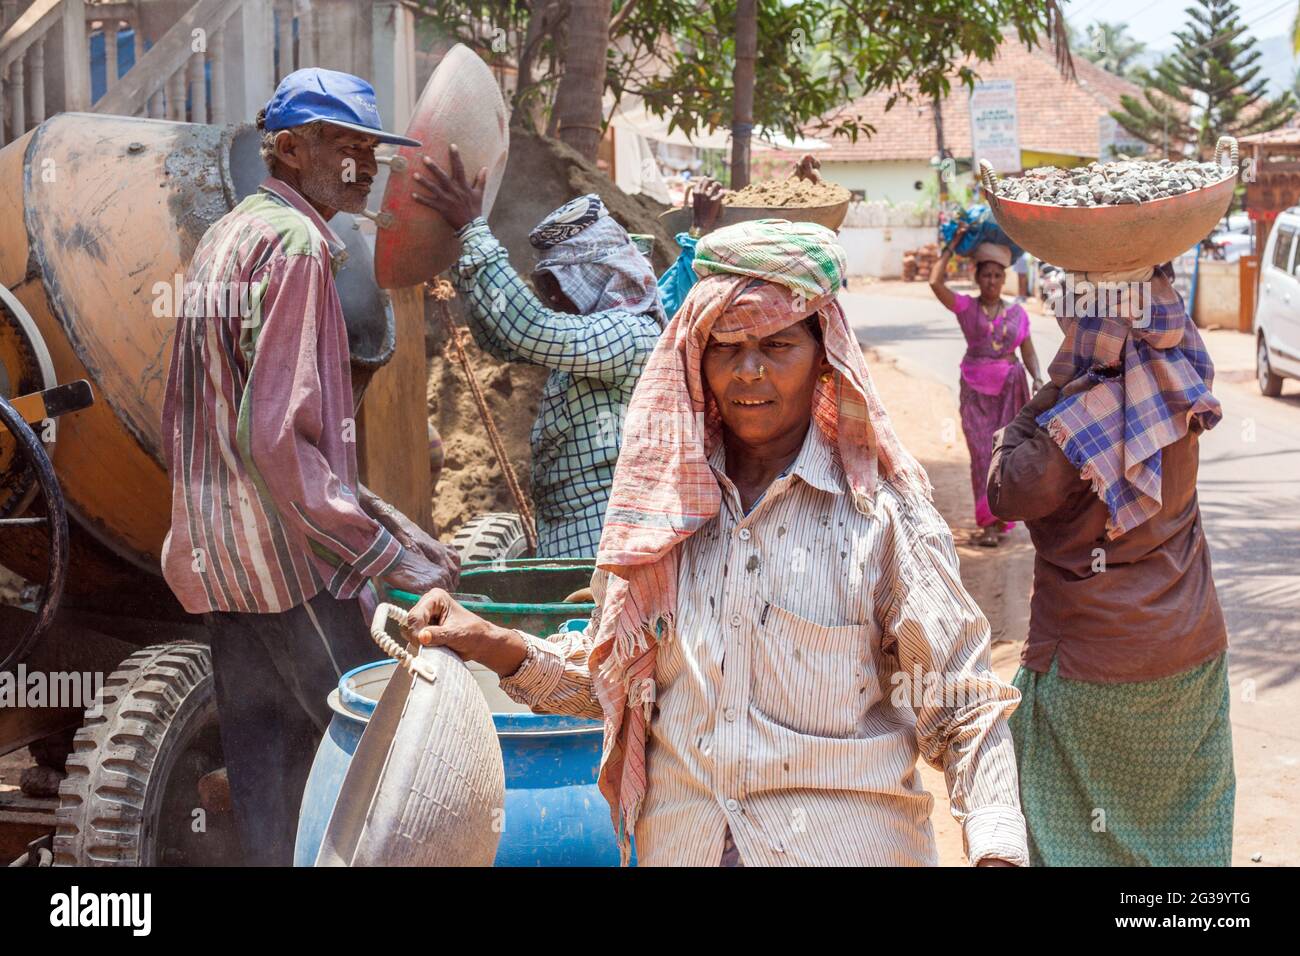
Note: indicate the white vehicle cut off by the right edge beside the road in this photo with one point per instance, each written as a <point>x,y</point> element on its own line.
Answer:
<point>1277,314</point>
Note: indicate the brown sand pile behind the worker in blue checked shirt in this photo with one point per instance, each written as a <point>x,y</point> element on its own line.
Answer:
<point>541,176</point>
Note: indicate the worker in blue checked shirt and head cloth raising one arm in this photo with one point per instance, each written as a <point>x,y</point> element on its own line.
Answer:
<point>593,322</point>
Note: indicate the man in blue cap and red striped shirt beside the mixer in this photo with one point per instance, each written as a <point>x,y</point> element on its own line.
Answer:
<point>274,539</point>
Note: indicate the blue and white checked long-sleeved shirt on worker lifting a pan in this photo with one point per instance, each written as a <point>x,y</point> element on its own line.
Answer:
<point>595,360</point>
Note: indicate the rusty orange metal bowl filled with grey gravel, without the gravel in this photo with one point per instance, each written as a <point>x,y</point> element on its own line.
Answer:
<point>1115,239</point>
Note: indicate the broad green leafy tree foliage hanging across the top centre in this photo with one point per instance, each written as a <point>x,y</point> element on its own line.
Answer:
<point>813,57</point>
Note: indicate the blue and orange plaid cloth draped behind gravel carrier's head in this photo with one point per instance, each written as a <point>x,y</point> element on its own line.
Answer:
<point>1151,378</point>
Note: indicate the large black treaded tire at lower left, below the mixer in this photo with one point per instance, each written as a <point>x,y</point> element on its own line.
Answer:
<point>131,797</point>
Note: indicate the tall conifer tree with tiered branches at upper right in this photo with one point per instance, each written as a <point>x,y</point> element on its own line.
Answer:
<point>1210,86</point>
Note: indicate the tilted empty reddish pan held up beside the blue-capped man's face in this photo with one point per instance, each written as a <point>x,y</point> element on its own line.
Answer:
<point>461,105</point>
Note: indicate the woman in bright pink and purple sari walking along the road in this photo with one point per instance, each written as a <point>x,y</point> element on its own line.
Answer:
<point>994,388</point>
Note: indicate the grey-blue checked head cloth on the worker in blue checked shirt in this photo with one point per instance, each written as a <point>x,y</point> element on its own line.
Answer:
<point>595,261</point>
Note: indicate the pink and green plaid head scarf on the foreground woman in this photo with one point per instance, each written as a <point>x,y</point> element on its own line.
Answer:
<point>757,279</point>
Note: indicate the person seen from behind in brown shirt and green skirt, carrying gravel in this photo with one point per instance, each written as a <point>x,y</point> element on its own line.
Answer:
<point>1123,738</point>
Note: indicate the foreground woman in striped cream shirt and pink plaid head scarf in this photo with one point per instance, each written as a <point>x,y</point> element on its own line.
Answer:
<point>781,625</point>
